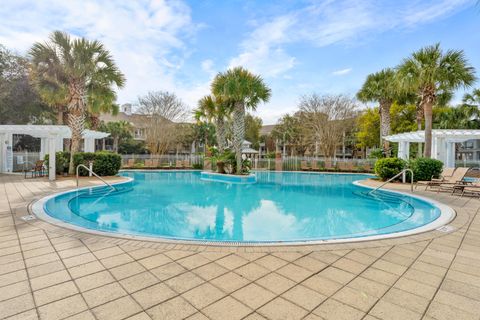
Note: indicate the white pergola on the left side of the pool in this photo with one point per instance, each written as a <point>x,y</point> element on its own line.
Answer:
<point>51,141</point>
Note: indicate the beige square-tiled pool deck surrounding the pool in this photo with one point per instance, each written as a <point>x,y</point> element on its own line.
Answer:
<point>48,272</point>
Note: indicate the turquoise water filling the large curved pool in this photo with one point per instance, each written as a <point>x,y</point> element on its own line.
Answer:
<point>285,206</point>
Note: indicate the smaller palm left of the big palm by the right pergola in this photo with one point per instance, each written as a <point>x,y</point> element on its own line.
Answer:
<point>380,87</point>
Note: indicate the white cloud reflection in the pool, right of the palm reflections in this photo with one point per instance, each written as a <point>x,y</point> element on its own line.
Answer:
<point>268,222</point>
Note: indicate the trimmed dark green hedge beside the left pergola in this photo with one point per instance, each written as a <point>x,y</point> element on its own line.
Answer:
<point>104,163</point>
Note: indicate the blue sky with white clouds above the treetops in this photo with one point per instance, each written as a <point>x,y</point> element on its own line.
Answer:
<point>299,47</point>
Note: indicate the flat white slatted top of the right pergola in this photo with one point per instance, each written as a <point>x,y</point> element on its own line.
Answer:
<point>453,135</point>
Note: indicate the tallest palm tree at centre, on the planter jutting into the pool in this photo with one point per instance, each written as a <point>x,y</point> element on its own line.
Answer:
<point>244,90</point>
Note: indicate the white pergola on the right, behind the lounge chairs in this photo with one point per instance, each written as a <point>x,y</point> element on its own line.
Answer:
<point>443,142</point>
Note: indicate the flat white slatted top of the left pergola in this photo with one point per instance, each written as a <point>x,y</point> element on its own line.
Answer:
<point>45,131</point>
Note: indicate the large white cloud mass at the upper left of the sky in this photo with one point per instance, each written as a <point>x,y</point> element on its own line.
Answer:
<point>146,38</point>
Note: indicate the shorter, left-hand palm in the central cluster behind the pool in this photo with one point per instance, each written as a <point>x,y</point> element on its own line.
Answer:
<point>215,109</point>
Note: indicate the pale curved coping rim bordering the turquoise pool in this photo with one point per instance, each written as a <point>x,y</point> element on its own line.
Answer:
<point>447,215</point>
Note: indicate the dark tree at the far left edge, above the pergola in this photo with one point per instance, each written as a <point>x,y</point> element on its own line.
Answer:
<point>20,103</point>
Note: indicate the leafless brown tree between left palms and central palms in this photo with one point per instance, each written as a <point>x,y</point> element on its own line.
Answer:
<point>163,110</point>
